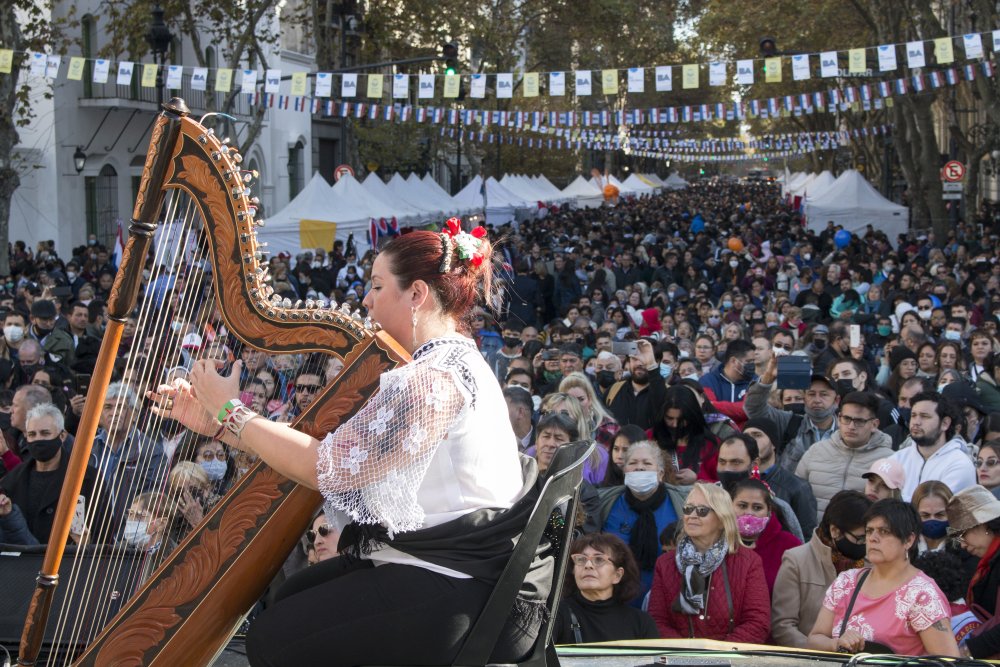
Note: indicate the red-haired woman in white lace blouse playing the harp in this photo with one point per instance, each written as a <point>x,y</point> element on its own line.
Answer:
<point>425,460</point>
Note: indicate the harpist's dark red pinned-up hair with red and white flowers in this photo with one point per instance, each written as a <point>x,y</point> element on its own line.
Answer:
<point>419,255</point>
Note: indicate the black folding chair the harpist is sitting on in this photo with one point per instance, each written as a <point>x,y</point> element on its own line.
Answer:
<point>562,485</point>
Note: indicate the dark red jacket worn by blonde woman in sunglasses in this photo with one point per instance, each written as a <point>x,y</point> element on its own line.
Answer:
<point>751,601</point>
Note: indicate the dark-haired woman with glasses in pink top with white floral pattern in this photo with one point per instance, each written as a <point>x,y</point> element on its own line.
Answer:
<point>891,607</point>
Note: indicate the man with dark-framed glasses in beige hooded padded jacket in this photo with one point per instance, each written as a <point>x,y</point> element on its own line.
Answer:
<point>837,462</point>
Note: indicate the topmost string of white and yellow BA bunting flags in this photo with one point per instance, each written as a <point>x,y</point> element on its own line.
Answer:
<point>917,56</point>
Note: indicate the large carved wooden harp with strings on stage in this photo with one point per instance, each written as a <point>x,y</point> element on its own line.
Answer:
<point>188,609</point>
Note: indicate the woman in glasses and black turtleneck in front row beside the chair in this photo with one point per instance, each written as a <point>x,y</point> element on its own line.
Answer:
<point>601,580</point>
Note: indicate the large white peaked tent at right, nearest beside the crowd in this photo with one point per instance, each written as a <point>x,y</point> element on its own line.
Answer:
<point>853,203</point>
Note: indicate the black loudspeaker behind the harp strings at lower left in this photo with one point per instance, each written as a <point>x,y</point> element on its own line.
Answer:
<point>113,576</point>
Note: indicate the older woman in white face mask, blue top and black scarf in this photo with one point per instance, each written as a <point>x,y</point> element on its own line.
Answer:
<point>642,508</point>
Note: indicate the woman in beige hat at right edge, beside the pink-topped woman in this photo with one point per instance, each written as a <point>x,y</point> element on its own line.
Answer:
<point>974,523</point>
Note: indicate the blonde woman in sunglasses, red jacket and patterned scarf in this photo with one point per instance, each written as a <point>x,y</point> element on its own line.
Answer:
<point>711,586</point>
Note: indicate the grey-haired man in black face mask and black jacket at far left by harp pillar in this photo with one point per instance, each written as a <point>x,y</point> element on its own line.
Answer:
<point>34,486</point>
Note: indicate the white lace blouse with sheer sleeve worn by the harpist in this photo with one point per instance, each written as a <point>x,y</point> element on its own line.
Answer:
<point>433,444</point>
